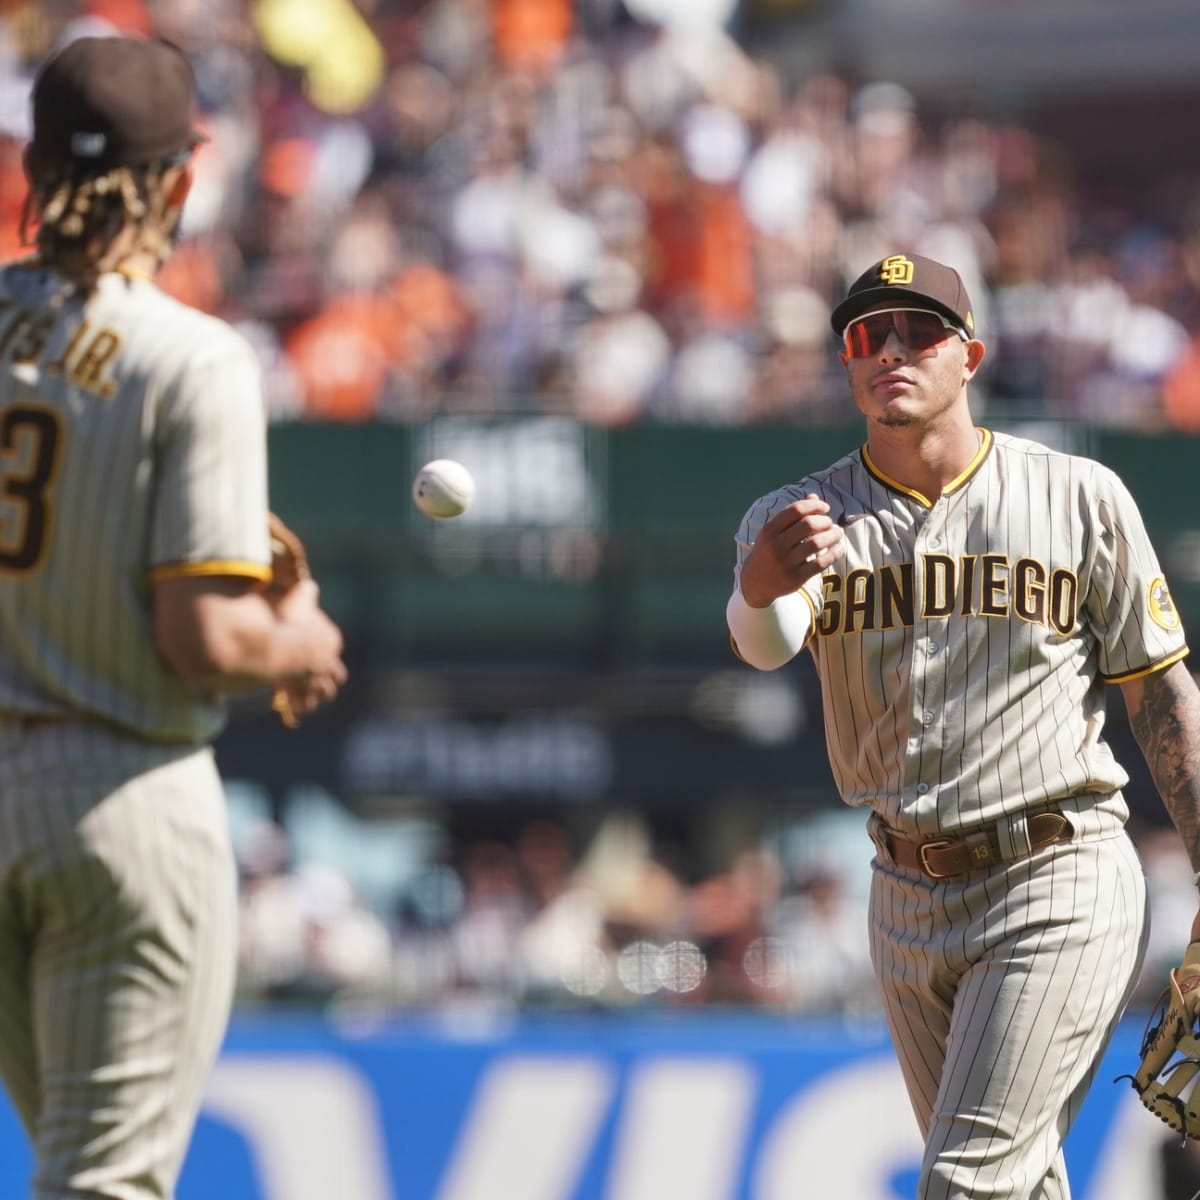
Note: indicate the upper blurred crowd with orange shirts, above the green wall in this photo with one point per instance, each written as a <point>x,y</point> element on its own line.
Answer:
<point>619,212</point>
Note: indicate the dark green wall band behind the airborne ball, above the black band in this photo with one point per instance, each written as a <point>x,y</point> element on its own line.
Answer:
<point>599,547</point>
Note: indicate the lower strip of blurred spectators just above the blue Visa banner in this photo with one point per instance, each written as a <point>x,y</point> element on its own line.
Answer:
<point>617,920</point>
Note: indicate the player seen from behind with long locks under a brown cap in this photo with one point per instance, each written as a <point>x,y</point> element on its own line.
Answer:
<point>134,543</point>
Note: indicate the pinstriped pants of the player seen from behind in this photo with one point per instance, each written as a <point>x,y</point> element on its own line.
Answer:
<point>118,909</point>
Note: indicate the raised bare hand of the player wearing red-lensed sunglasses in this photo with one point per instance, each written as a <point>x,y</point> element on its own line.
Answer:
<point>797,543</point>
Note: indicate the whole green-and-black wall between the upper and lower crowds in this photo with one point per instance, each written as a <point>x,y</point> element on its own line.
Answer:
<point>563,644</point>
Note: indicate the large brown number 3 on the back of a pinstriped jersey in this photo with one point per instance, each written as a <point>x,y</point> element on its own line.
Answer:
<point>31,440</point>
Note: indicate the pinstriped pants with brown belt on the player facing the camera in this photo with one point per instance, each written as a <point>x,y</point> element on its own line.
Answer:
<point>1001,993</point>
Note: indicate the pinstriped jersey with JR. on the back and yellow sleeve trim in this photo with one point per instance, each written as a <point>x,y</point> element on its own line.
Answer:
<point>133,441</point>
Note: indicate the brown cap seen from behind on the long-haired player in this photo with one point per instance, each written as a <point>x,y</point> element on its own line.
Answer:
<point>104,103</point>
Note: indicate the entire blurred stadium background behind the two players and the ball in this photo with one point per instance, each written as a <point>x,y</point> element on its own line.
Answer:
<point>557,902</point>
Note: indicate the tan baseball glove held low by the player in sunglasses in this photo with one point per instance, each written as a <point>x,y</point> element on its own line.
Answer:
<point>1171,1051</point>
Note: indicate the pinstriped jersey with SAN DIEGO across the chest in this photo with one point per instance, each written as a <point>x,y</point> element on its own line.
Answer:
<point>955,622</point>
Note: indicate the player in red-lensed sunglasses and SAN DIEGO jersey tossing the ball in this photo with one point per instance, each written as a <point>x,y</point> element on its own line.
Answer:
<point>967,597</point>
